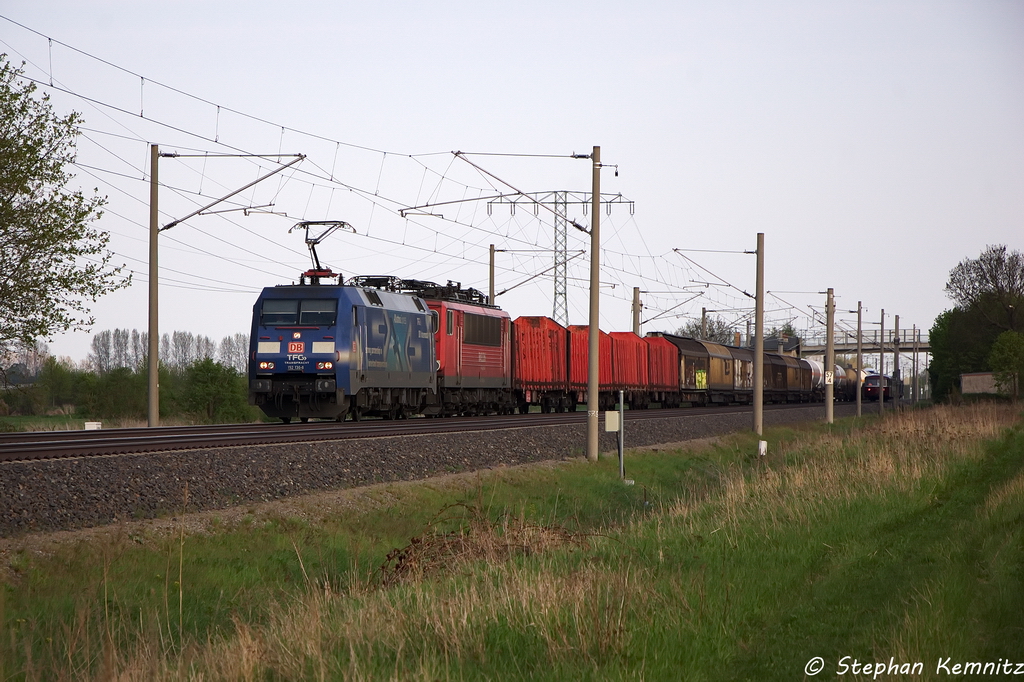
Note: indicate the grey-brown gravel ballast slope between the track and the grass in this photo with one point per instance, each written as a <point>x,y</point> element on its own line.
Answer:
<point>76,493</point>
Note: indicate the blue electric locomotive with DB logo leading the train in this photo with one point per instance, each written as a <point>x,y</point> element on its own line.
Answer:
<point>330,351</point>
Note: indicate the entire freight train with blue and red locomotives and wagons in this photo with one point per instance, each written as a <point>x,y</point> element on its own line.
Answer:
<point>388,348</point>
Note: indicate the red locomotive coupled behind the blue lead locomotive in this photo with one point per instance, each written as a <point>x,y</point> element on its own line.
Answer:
<point>474,345</point>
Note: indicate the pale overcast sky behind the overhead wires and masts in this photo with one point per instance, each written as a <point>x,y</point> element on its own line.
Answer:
<point>875,144</point>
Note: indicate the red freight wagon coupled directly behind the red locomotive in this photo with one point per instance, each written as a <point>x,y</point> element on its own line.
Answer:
<point>540,365</point>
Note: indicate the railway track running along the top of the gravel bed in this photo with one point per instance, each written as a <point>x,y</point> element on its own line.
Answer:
<point>55,445</point>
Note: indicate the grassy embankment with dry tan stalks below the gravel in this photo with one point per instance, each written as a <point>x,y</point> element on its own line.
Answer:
<point>901,538</point>
